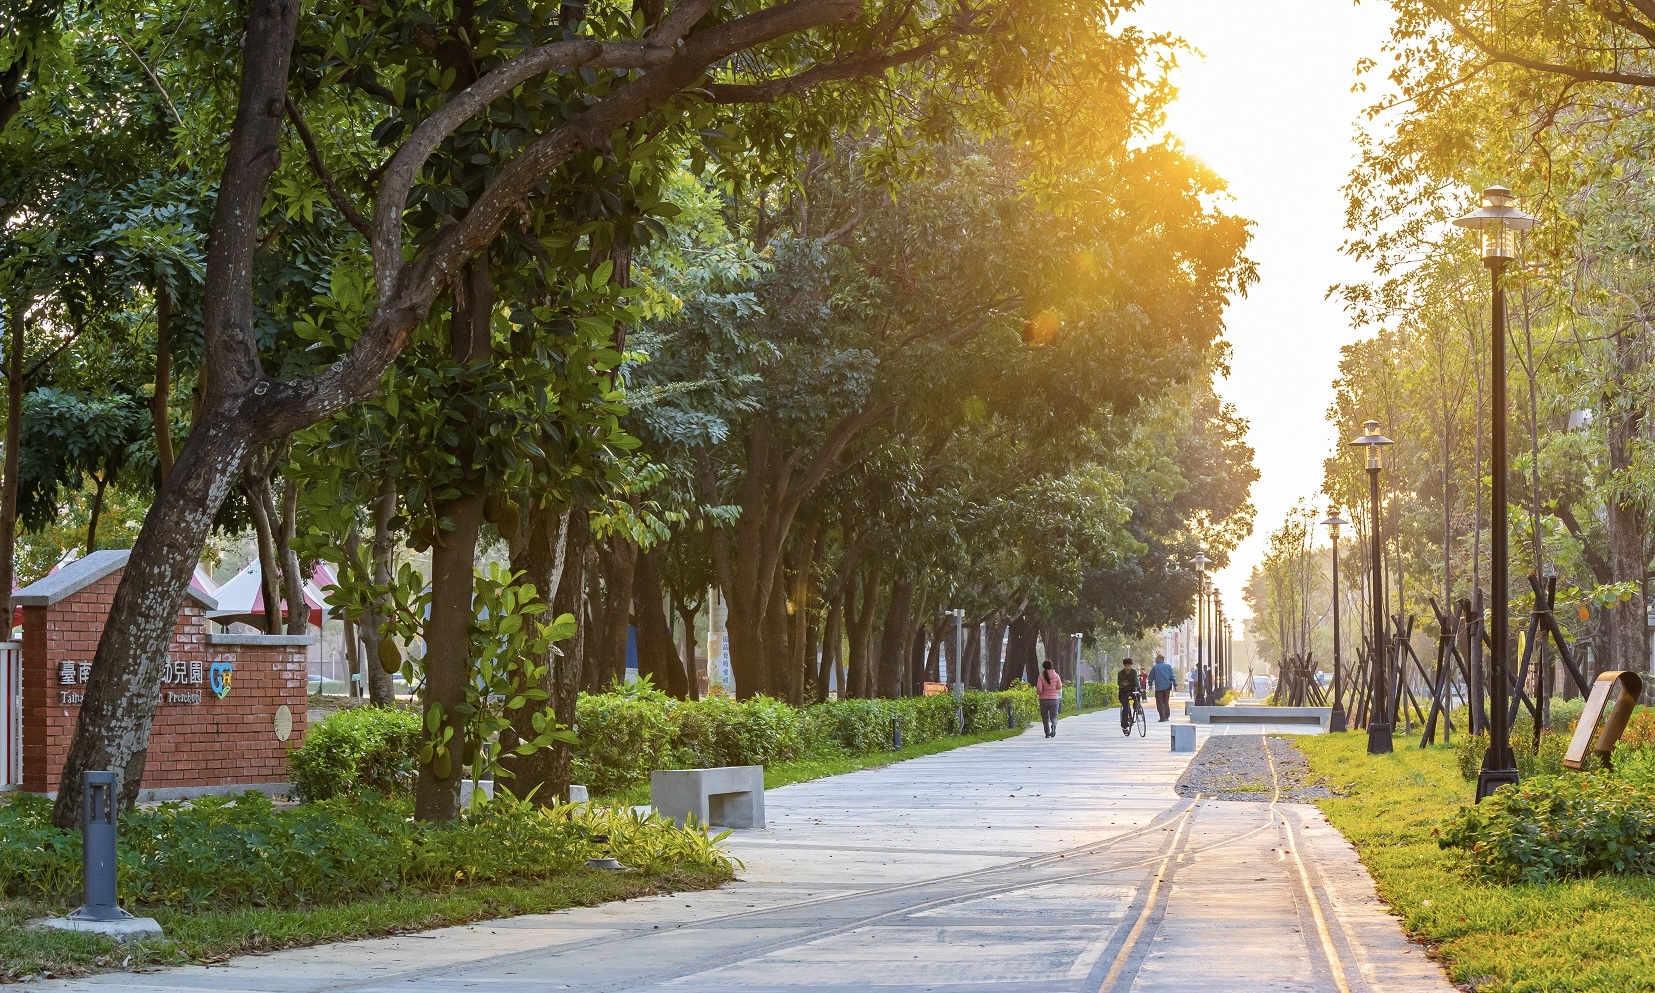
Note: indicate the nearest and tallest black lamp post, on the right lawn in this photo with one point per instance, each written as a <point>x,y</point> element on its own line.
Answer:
<point>1500,223</point>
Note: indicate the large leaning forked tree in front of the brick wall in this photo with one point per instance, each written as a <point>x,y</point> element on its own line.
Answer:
<point>643,69</point>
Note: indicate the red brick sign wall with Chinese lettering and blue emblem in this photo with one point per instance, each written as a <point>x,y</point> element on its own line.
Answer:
<point>198,739</point>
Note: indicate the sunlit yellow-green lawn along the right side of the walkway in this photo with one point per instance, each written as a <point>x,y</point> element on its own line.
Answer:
<point>1591,934</point>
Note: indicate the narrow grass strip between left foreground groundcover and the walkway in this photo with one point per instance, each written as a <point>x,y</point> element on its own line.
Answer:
<point>214,936</point>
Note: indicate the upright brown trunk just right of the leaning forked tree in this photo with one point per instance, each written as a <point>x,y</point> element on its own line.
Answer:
<point>454,572</point>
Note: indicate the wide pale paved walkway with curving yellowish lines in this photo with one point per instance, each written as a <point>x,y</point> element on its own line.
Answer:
<point>1020,866</point>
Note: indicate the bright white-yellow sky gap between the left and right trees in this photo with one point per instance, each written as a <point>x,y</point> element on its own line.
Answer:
<point>1267,103</point>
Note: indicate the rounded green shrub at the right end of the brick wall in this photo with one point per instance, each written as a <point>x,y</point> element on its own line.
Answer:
<point>360,751</point>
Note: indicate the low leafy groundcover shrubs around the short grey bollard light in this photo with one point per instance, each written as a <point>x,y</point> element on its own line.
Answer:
<point>244,851</point>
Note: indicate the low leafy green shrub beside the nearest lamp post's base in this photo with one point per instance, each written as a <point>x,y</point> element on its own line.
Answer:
<point>1557,828</point>
